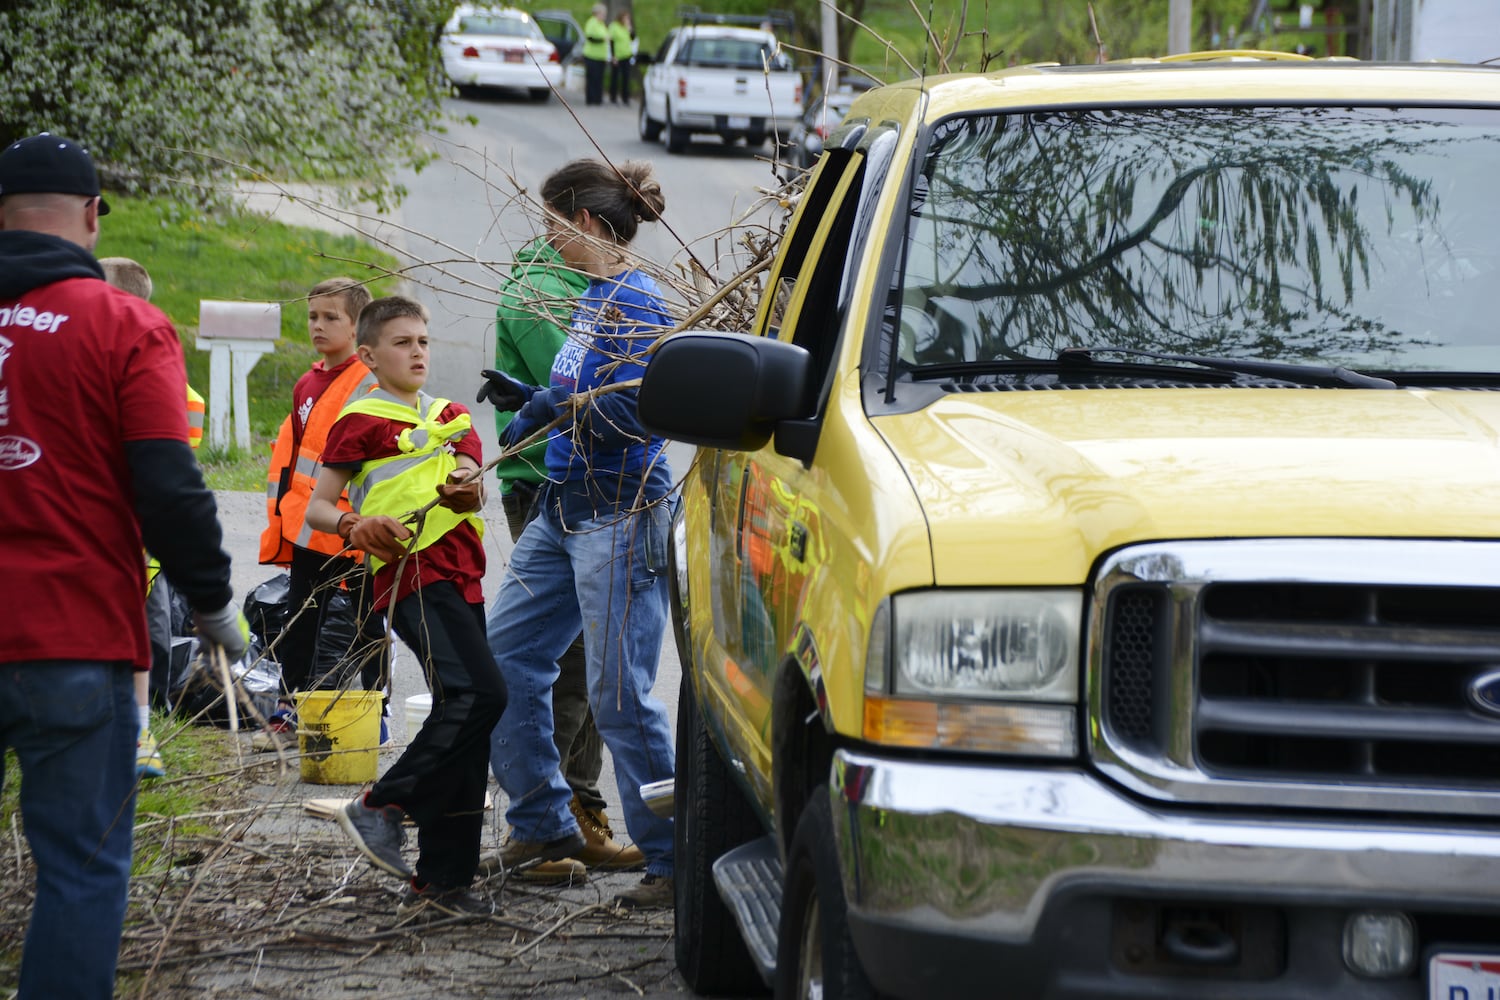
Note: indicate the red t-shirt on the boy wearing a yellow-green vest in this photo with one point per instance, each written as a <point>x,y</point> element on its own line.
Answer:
<point>457,557</point>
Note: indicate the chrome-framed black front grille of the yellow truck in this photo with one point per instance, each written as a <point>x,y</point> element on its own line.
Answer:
<point>1220,683</point>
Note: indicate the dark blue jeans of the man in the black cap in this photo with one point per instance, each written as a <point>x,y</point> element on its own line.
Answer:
<point>73,726</point>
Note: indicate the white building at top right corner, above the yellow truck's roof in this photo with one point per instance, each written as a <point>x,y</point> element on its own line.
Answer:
<point>1460,31</point>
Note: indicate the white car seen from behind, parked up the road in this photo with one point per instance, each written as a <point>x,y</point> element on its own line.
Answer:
<point>500,47</point>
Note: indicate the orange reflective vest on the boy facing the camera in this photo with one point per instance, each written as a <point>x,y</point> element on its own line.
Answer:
<point>295,472</point>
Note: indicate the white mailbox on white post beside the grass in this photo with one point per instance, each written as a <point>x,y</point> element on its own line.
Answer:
<point>236,335</point>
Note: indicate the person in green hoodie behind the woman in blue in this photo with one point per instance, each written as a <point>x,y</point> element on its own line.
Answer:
<point>532,325</point>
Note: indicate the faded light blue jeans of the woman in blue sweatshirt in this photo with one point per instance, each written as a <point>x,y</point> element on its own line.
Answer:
<point>605,578</point>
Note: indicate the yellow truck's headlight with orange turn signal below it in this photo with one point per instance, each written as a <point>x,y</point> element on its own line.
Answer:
<point>976,671</point>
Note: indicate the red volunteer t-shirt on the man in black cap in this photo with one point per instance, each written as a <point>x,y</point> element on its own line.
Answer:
<point>83,370</point>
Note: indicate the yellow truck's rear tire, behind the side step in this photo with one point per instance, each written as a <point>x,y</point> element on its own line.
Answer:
<point>712,818</point>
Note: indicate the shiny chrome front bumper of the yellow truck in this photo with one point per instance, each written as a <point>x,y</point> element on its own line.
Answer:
<point>983,860</point>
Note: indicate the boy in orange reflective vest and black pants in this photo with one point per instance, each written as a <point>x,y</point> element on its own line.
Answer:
<point>317,561</point>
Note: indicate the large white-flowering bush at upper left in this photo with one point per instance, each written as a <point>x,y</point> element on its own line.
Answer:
<point>182,95</point>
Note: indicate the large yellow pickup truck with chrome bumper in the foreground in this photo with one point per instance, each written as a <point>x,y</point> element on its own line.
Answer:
<point>1090,579</point>
